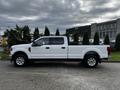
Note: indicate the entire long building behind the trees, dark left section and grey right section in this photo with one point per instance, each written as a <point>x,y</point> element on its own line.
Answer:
<point>112,28</point>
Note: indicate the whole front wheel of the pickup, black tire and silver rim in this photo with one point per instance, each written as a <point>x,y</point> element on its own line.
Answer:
<point>20,60</point>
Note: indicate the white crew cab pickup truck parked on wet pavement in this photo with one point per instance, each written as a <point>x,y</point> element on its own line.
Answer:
<point>56,48</point>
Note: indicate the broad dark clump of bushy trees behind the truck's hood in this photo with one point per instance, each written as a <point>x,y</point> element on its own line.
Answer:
<point>18,35</point>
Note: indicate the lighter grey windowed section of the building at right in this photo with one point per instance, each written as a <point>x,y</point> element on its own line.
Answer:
<point>112,28</point>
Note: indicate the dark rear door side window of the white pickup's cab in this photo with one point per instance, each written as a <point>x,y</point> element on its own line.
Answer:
<point>56,41</point>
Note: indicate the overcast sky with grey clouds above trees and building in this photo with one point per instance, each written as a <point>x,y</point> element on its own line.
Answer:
<point>55,14</point>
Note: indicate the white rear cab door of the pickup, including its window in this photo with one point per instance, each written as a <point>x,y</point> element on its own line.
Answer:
<point>57,48</point>
